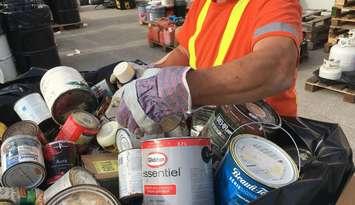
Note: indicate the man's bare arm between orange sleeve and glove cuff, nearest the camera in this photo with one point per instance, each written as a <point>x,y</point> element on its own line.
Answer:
<point>268,70</point>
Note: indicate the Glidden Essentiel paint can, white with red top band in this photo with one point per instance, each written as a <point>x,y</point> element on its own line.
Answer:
<point>177,171</point>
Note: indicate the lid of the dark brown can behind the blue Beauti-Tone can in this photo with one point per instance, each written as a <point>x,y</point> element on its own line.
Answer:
<point>260,112</point>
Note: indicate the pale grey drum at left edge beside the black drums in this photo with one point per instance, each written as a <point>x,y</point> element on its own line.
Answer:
<point>7,65</point>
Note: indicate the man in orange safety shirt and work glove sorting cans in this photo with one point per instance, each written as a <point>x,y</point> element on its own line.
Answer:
<point>230,52</point>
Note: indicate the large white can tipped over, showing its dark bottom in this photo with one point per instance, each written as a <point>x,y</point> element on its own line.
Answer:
<point>69,92</point>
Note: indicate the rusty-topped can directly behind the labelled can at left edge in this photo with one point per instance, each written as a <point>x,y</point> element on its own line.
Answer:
<point>25,127</point>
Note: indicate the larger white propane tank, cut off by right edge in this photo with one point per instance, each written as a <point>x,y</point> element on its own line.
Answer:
<point>344,51</point>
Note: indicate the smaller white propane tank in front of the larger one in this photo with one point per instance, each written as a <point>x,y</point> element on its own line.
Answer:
<point>330,70</point>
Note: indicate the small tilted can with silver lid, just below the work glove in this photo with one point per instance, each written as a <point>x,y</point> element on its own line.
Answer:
<point>125,140</point>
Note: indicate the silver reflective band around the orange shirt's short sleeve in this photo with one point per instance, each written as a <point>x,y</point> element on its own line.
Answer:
<point>276,27</point>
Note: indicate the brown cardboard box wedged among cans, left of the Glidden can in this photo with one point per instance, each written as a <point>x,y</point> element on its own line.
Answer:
<point>104,167</point>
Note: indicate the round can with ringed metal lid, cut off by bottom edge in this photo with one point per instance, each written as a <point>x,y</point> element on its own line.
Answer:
<point>83,195</point>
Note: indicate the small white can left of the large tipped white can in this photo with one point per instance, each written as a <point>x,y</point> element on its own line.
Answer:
<point>32,107</point>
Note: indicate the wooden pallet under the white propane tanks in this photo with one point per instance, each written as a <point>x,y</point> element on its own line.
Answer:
<point>313,84</point>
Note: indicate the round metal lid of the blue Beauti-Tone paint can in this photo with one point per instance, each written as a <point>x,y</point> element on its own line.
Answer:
<point>263,160</point>
